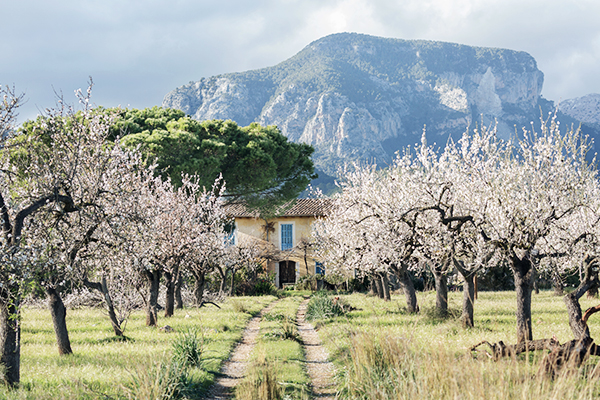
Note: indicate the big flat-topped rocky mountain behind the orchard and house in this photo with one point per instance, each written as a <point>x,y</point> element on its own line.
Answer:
<point>358,97</point>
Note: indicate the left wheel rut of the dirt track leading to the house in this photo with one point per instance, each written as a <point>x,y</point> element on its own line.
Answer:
<point>233,370</point>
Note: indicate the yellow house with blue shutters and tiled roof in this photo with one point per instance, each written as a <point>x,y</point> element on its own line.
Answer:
<point>288,253</point>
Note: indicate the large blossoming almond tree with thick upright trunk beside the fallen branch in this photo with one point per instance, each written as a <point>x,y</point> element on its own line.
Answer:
<point>522,192</point>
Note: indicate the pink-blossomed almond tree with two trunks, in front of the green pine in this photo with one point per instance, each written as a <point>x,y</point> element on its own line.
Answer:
<point>176,222</point>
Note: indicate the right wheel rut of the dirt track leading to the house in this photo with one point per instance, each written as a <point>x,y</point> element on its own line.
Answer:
<point>319,369</point>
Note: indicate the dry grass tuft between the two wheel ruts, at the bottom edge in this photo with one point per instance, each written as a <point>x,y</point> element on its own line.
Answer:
<point>260,382</point>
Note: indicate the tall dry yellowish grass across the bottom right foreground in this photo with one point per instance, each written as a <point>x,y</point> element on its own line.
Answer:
<point>387,367</point>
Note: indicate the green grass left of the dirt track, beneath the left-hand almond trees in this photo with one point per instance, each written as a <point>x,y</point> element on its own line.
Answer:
<point>102,367</point>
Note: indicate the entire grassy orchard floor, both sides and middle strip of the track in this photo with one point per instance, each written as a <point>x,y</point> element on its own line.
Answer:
<point>380,351</point>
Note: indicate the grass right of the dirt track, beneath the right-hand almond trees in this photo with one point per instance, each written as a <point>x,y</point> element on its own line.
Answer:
<point>381,352</point>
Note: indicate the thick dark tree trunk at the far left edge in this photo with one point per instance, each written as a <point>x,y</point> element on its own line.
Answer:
<point>10,341</point>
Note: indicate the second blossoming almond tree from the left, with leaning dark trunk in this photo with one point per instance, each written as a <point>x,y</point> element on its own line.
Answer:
<point>68,153</point>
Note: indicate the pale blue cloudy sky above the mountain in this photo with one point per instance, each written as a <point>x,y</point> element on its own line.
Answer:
<point>137,51</point>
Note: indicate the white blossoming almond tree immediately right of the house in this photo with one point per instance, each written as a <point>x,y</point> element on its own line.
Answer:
<point>372,227</point>
